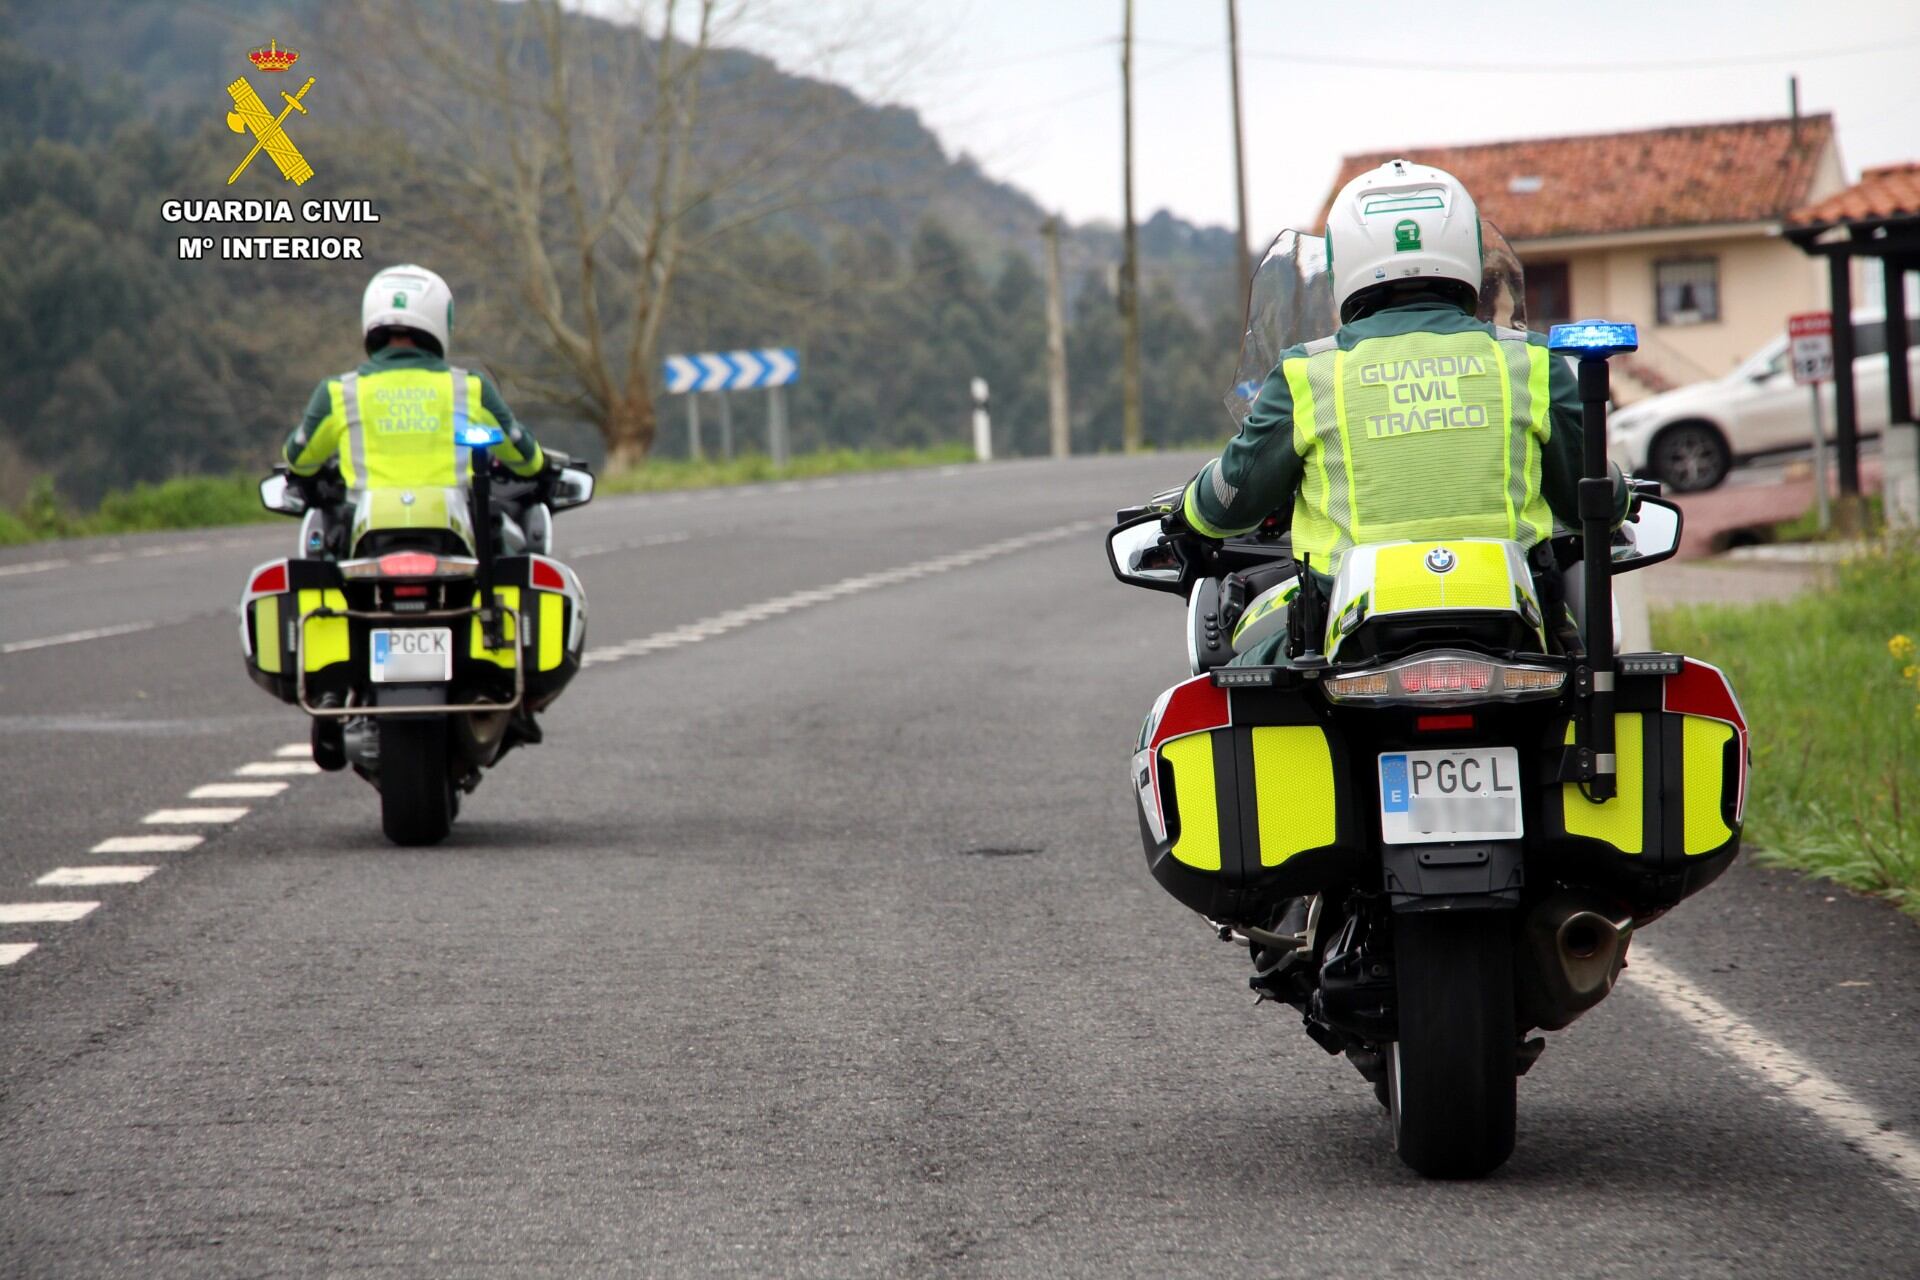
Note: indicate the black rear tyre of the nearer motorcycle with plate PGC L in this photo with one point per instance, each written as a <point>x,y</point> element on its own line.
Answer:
<point>1452,1070</point>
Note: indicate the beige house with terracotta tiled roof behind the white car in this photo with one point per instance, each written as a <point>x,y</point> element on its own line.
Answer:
<point>1675,229</point>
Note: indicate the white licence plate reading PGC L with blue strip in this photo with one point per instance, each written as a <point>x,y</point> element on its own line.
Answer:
<point>1451,795</point>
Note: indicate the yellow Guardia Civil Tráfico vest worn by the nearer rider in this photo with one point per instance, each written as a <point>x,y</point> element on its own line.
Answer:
<point>1420,437</point>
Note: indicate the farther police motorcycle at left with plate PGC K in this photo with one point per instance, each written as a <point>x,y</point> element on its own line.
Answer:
<point>421,630</point>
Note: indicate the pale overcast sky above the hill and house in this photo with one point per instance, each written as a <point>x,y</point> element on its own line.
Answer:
<point>1032,87</point>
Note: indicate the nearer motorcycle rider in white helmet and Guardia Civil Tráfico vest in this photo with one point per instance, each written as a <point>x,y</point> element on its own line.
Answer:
<point>1414,419</point>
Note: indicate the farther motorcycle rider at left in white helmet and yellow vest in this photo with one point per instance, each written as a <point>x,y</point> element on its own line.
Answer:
<point>391,423</point>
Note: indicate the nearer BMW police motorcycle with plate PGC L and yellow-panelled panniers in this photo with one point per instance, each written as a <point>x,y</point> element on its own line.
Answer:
<point>1441,822</point>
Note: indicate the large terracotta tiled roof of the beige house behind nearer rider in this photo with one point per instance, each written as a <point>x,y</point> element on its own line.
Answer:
<point>1687,176</point>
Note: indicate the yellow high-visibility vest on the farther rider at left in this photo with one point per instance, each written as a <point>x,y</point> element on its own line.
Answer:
<point>400,427</point>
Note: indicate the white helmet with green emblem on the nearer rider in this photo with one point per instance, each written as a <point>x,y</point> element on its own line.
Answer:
<point>1403,222</point>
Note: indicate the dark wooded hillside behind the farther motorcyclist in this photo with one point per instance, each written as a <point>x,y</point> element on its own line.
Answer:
<point>901,272</point>
